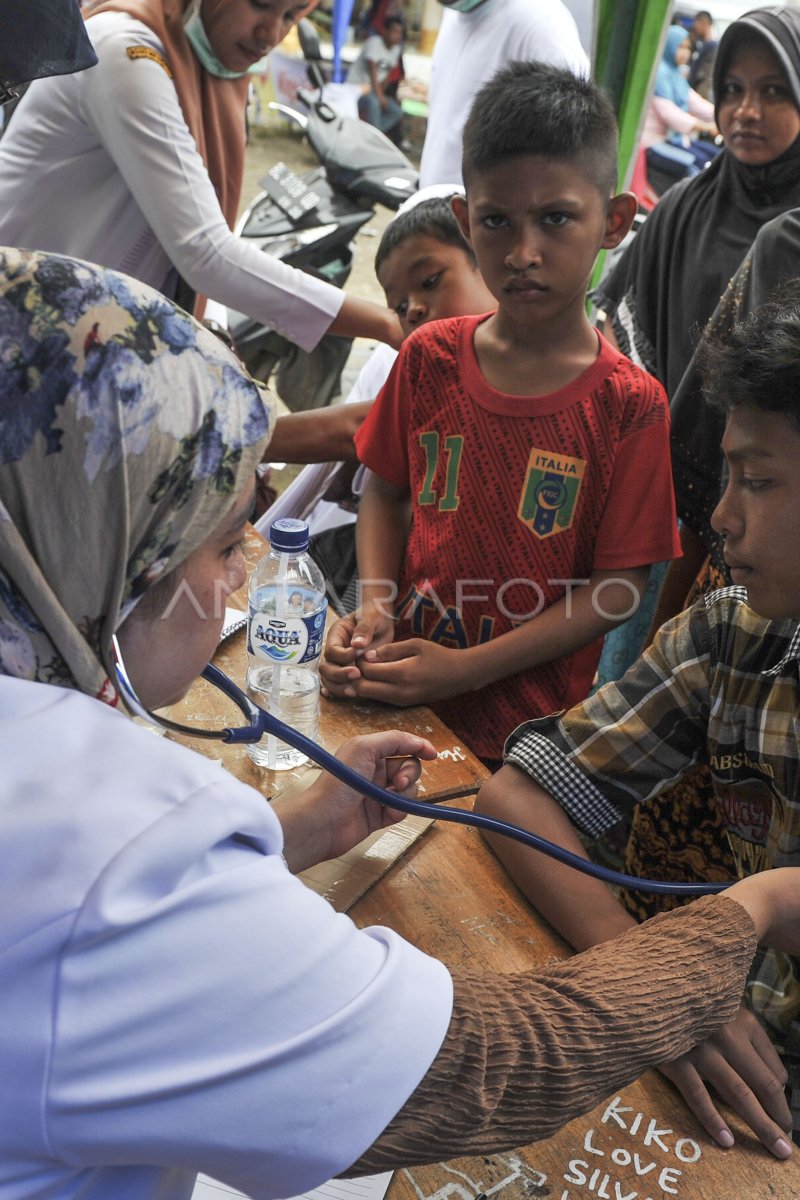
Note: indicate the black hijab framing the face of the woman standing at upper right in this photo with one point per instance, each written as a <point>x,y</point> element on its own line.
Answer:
<point>669,284</point>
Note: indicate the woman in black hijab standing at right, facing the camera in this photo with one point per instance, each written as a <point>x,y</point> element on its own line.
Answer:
<point>659,301</point>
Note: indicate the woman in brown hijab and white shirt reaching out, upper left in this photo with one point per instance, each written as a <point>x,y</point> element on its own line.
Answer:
<point>137,164</point>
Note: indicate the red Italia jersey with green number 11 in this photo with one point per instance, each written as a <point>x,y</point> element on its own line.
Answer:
<point>611,428</point>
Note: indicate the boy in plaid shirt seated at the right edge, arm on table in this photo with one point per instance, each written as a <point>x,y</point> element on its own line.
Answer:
<point>721,687</point>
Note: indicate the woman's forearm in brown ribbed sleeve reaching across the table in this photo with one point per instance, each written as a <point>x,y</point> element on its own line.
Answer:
<point>525,1054</point>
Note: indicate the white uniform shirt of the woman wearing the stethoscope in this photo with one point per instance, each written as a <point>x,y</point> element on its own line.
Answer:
<point>172,1000</point>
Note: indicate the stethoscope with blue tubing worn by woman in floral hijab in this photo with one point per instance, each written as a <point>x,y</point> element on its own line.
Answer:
<point>262,723</point>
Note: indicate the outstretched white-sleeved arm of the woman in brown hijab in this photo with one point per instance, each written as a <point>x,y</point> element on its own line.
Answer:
<point>134,109</point>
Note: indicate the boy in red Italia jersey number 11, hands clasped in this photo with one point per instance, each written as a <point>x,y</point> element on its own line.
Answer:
<point>516,455</point>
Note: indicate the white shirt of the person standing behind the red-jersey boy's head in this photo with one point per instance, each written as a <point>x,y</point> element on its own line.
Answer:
<point>471,49</point>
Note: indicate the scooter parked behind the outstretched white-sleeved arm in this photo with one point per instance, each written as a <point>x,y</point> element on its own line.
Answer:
<point>310,221</point>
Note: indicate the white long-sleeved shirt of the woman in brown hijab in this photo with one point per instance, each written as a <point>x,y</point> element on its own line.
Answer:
<point>103,166</point>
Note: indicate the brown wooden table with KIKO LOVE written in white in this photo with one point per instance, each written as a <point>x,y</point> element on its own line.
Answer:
<point>441,887</point>
